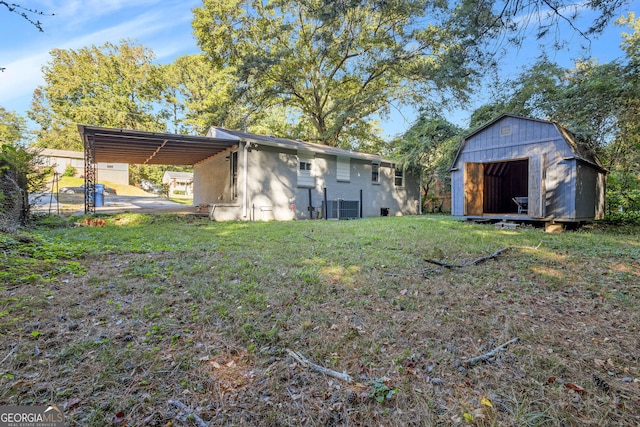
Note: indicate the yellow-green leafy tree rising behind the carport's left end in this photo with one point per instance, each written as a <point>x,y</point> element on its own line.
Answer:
<point>109,85</point>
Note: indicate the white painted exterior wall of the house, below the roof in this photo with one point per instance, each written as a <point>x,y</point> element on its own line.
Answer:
<point>275,190</point>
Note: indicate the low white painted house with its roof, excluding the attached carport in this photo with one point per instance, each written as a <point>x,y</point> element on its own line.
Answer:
<point>264,177</point>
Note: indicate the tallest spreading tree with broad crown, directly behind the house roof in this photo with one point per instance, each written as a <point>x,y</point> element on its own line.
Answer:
<point>339,63</point>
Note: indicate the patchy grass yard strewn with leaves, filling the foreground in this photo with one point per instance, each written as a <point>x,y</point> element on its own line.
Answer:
<point>120,324</point>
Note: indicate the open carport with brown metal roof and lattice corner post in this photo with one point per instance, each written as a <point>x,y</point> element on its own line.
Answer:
<point>144,148</point>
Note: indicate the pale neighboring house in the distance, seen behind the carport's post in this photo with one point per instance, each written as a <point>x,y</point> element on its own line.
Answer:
<point>60,160</point>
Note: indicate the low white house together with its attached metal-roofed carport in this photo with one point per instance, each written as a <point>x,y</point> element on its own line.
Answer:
<point>243,176</point>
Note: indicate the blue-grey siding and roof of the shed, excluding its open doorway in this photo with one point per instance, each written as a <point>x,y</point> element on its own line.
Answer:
<point>559,188</point>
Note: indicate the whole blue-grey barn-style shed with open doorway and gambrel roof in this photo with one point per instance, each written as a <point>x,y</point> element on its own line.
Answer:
<point>526,169</point>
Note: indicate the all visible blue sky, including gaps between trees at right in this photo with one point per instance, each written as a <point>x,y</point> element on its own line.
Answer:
<point>165,27</point>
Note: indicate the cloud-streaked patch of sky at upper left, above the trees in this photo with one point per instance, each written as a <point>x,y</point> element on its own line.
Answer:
<point>162,26</point>
